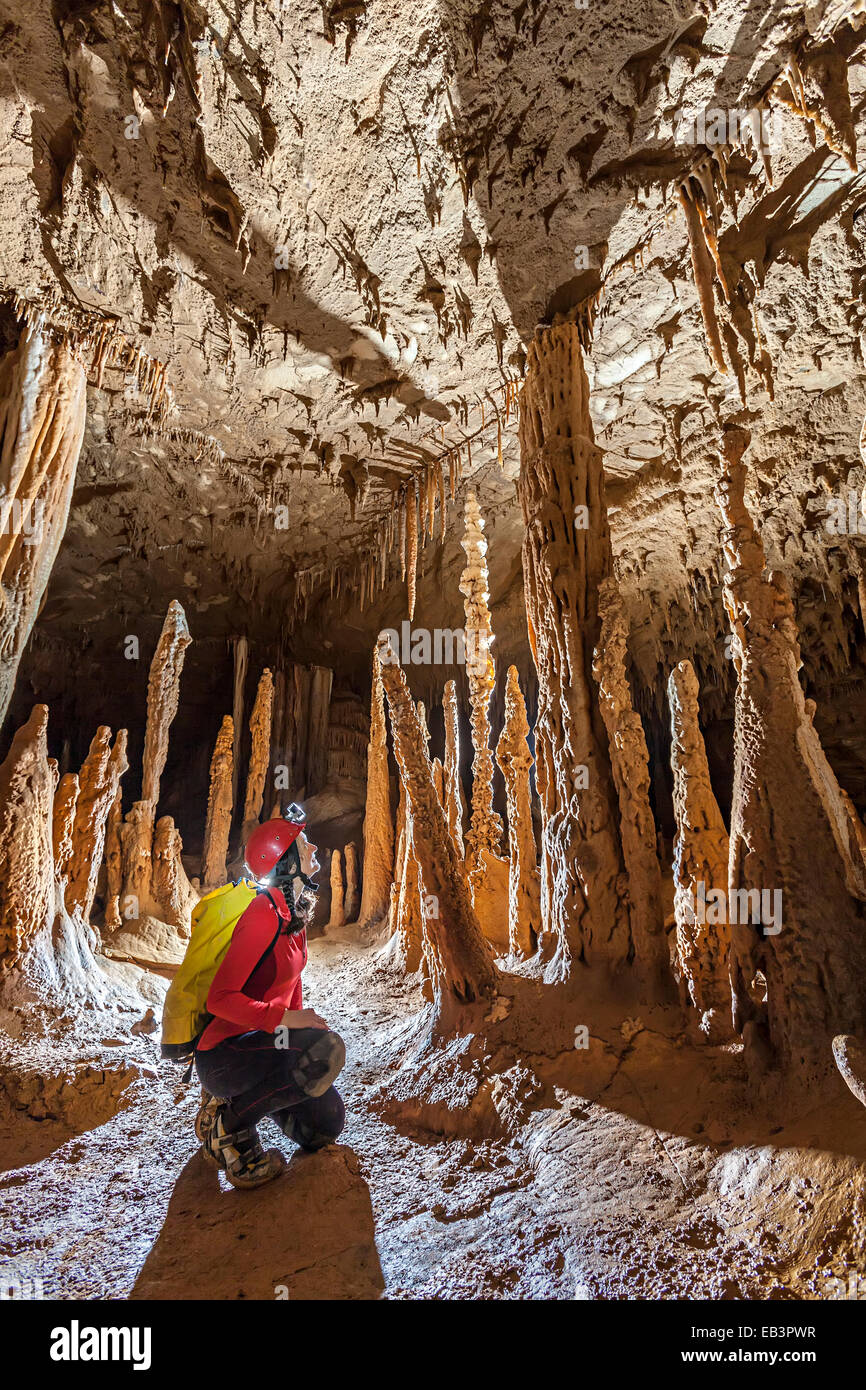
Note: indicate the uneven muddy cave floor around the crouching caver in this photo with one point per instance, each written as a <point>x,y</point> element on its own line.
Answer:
<point>640,1168</point>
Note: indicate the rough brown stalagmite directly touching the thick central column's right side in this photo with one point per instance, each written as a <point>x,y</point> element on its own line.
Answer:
<point>630,768</point>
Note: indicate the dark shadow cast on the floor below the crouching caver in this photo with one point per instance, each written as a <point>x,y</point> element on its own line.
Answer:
<point>307,1235</point>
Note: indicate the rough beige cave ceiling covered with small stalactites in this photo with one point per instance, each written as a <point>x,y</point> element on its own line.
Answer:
<point>338,226</point>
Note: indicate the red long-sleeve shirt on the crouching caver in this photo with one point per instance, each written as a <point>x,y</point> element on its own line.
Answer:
<point>250,992</point>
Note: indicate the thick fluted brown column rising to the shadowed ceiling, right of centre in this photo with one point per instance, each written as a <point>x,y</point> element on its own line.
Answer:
<point>585,900</point>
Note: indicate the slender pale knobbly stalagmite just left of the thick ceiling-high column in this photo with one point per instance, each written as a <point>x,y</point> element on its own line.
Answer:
<point>486,826</point>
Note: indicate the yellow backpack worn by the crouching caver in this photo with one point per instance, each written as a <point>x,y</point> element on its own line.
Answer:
<point>186,1010</point>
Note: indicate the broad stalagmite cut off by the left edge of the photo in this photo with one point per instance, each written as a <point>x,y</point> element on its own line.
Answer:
<point>27,875</point>
